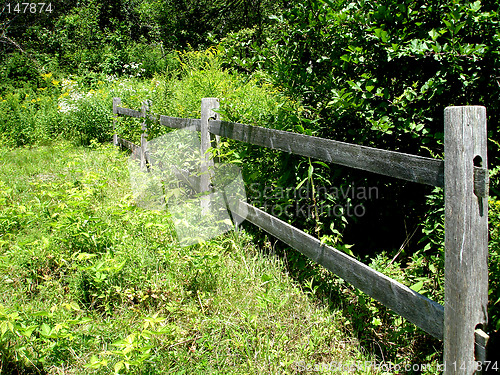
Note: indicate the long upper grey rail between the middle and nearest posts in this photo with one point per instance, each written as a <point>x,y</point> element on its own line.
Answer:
<point>389,163</point>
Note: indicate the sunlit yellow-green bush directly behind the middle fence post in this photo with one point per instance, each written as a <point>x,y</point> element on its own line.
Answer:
<point>202,76</point>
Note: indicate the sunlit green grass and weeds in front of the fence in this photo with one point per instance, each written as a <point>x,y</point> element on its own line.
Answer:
<point>90,283</point>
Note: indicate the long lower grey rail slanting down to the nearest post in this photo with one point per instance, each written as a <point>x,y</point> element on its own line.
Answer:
<point>423,312</point>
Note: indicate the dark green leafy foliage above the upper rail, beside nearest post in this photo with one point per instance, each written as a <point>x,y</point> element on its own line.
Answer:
<point>386,70</point>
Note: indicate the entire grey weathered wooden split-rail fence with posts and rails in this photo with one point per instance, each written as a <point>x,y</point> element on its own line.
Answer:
<point>463,173</point>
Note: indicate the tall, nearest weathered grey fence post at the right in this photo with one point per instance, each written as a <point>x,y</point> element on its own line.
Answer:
<point>466,237</point>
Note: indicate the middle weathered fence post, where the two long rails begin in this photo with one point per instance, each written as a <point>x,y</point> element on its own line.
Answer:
<point>207,104</point>
